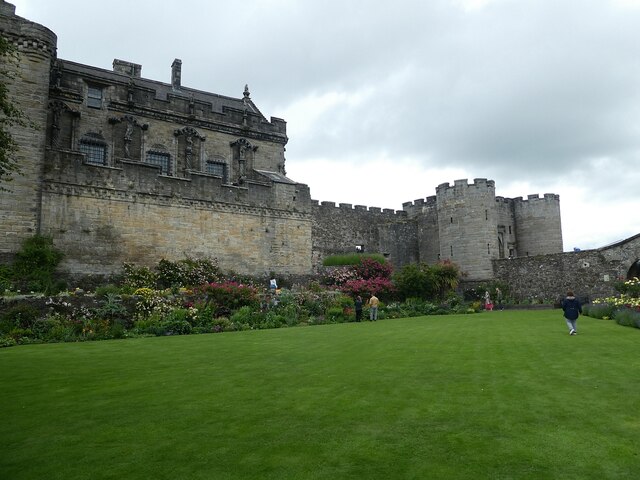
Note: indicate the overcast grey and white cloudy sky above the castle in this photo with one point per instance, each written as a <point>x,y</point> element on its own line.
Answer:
<point>385,100</point>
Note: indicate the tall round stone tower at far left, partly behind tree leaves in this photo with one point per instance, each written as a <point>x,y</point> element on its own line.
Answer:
<point>28,88</point>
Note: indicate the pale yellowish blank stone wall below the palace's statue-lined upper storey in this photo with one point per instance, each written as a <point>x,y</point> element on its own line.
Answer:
<point>103,216</point>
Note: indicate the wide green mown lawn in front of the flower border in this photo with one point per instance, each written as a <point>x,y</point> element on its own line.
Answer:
<point>498,395</point>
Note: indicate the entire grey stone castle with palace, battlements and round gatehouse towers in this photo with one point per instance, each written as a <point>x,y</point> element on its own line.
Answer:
<point>121,168</point>
